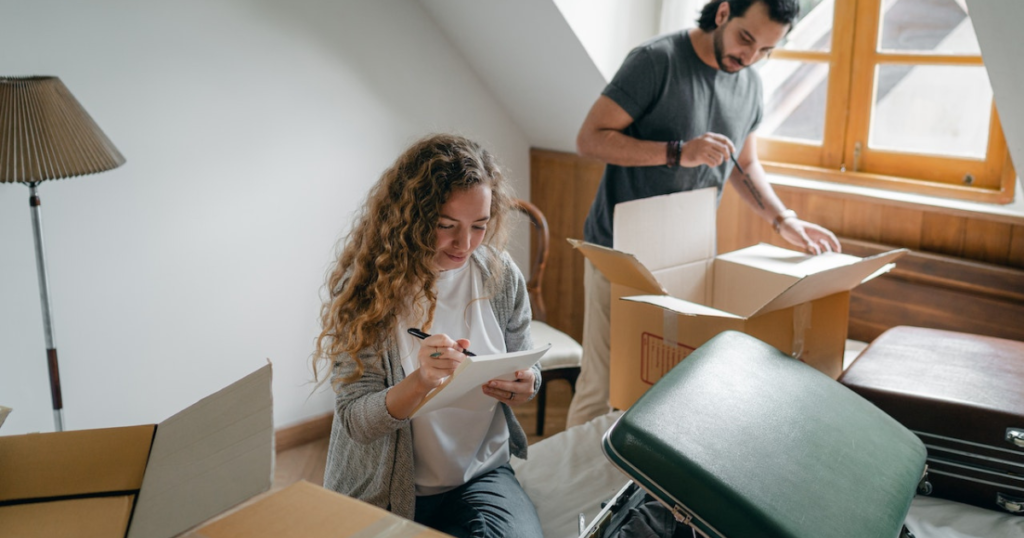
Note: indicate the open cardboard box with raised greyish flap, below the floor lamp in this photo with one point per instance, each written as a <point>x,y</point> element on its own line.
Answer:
<point>153,481</point>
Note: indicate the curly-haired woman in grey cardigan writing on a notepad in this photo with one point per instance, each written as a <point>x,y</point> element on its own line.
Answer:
<point>429,253</point>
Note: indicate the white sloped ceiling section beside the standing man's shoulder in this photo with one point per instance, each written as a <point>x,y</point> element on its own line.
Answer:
<point>531,60</point>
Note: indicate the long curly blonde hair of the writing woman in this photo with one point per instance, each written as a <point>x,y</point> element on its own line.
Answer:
<point>387,269</point>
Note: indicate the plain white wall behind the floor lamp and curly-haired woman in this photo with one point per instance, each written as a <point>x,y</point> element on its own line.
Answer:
<point>252,130</point>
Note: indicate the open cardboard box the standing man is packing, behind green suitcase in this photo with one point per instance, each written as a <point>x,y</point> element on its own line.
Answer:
<point>671,294</point>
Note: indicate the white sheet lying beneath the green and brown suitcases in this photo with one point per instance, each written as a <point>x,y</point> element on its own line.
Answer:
<point>569,474</point>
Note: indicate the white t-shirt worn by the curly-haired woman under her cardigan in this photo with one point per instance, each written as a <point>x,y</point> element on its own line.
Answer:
<point>453,446</point>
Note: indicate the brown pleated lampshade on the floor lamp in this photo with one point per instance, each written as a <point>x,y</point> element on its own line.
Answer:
<point>47,135</point>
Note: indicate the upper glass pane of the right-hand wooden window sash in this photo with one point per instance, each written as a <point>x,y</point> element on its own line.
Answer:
<point>928,26</point>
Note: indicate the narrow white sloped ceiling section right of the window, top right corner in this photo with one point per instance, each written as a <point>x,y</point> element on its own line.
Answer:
<point>998,24</point>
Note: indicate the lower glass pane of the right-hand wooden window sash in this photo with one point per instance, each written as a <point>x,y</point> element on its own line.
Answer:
<point>941,110</point>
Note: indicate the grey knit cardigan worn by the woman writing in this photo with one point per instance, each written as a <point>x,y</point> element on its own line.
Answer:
<point>371,453</point>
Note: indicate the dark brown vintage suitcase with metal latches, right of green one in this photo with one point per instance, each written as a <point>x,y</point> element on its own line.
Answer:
<point>964,396</point>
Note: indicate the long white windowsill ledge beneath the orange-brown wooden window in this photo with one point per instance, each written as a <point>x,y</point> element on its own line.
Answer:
<point>1012,214</point>
